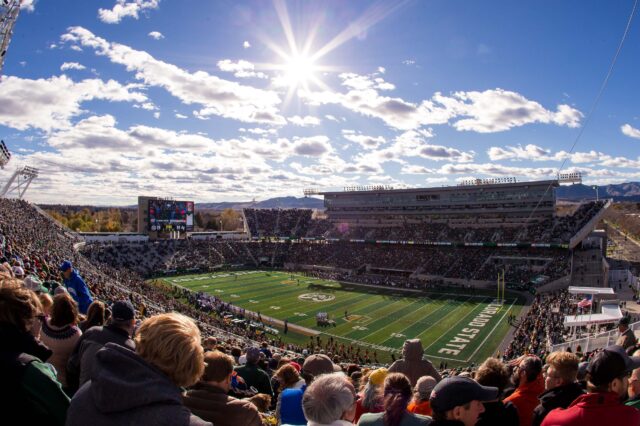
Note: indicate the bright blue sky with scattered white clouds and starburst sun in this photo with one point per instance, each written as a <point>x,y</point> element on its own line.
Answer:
<point>236,100</point>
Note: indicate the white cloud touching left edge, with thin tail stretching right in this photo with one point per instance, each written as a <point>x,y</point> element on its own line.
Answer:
<point>49,104</point>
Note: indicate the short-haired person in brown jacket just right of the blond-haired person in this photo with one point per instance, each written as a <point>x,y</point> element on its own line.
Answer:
<point>208,398</point>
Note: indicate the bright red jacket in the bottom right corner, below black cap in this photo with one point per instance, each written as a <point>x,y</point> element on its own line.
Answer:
<point>594,409</point>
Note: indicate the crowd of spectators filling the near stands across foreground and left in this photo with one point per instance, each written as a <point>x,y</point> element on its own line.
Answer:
<point>127,361</point>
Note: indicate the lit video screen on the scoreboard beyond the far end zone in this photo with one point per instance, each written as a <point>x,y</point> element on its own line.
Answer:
<point>169,215</point>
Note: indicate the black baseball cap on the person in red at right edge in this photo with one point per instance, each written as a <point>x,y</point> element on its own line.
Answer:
<point>611,363</point>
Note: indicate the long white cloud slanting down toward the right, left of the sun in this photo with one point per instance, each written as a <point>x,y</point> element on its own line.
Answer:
<point>218,97</point>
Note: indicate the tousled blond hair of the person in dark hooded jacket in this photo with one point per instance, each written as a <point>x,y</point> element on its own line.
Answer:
<point>171,342</point>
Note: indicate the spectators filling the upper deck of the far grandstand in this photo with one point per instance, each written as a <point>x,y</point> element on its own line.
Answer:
<point>297,223</point>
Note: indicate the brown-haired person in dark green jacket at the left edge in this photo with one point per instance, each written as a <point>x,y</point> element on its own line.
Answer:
<point>29,391</point>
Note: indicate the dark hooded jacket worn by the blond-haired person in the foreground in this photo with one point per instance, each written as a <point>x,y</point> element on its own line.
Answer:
<point>126,390</point>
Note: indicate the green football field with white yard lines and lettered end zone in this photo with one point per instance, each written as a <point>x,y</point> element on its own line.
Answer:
<point>456,328</point>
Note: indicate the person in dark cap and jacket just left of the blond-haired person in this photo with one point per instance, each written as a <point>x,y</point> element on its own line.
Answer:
<point>119,331</point>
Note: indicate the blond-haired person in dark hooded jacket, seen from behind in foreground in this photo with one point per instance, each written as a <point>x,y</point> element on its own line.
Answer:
<point>168,355</point>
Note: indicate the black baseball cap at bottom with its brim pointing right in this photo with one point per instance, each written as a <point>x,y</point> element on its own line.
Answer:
<point>455,391</point>
